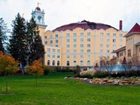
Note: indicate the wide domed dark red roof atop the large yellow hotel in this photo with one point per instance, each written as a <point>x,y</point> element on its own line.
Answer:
<point>84,25</point>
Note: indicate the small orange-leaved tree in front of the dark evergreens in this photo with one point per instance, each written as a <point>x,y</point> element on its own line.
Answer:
<point>36,69</point>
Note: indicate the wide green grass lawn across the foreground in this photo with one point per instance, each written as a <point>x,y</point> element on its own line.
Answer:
<point>55,90</point>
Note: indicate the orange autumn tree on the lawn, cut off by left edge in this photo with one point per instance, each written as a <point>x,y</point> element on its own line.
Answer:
<point>8,65</point>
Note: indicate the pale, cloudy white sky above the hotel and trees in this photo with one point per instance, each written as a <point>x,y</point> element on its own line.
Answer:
<point>60,12</point>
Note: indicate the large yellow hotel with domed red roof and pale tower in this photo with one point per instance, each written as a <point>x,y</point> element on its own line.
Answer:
<point>82,43</point>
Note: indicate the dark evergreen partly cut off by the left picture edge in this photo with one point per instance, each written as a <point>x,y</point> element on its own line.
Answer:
<point>3,31</point>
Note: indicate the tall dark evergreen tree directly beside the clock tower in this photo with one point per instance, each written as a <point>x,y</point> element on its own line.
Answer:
<point>35,46</point>
